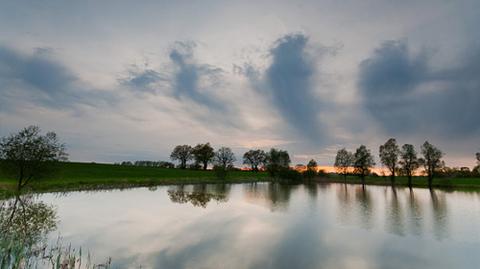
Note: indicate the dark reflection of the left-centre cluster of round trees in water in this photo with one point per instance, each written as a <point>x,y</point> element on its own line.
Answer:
<point>200,195</point>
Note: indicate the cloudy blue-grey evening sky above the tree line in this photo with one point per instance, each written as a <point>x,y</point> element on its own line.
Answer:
<point>129,80</point>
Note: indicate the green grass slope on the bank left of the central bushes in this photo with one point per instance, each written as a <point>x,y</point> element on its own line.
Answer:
<point>84,176</point>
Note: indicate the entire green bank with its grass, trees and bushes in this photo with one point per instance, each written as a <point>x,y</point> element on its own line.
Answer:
<point>40,161</point>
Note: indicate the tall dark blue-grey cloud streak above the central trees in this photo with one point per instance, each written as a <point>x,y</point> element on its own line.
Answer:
<point>288,81</point>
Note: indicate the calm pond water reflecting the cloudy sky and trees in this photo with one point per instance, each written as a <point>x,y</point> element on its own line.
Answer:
<point>266,225</point>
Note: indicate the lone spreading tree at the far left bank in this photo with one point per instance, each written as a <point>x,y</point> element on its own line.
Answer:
<point>28,155</point>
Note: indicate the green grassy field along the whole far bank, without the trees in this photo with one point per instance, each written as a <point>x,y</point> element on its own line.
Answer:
<point>89,176</point>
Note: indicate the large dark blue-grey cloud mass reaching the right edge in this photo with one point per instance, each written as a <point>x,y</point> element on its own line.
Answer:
<point>405,94</point>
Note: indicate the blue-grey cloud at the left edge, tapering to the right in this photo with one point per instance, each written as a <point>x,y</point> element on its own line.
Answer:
<point>41,80</point>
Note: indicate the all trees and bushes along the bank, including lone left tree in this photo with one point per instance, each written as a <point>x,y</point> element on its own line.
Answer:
<point>29,155</point>
